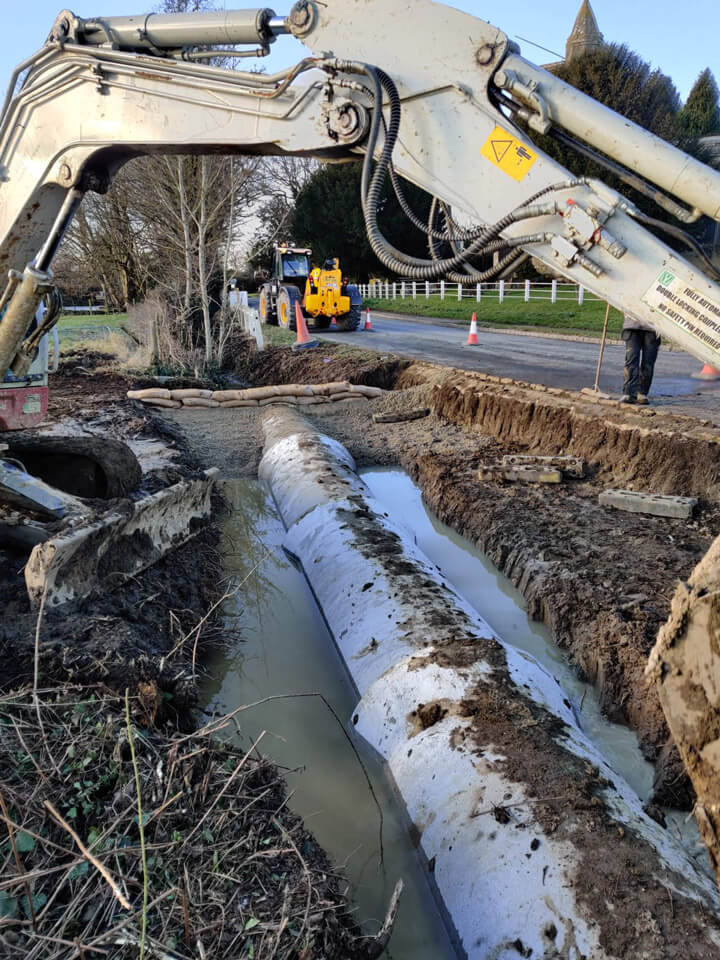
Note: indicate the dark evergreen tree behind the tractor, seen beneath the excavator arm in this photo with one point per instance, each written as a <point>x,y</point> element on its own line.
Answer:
<point>328,218</point>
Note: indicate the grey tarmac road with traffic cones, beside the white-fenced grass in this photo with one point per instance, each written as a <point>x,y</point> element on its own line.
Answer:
<point>554,362</point>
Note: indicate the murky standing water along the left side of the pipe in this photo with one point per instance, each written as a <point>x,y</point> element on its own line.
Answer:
<point>283,647</point>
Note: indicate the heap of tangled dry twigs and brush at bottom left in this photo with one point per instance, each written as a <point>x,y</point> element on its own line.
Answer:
<point>227,864</point>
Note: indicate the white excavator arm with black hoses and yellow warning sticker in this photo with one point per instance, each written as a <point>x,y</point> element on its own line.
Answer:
<point>439,111</point>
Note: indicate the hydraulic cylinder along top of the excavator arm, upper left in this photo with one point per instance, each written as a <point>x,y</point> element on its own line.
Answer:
<point>172,31</point>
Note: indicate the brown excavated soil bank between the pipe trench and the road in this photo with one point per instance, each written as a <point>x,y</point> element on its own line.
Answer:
<point>600,579</point>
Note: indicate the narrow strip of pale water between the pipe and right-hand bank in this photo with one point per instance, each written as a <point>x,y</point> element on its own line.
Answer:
<point>503,607</point>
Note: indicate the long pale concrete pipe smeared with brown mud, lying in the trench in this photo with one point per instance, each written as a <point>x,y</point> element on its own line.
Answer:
<point>537,847</point>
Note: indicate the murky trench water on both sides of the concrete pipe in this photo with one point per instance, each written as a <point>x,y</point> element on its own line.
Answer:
<point>282,647</point>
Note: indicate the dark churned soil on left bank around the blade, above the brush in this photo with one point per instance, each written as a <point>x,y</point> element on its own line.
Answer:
<point>141,633</point>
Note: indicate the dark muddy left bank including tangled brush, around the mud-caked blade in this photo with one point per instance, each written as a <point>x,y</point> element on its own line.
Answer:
<point>281,897</point>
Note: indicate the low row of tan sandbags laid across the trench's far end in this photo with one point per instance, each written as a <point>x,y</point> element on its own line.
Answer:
<point>297,394</point>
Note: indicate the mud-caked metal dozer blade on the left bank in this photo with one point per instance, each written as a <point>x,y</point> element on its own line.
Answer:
<point>103,553</point>
